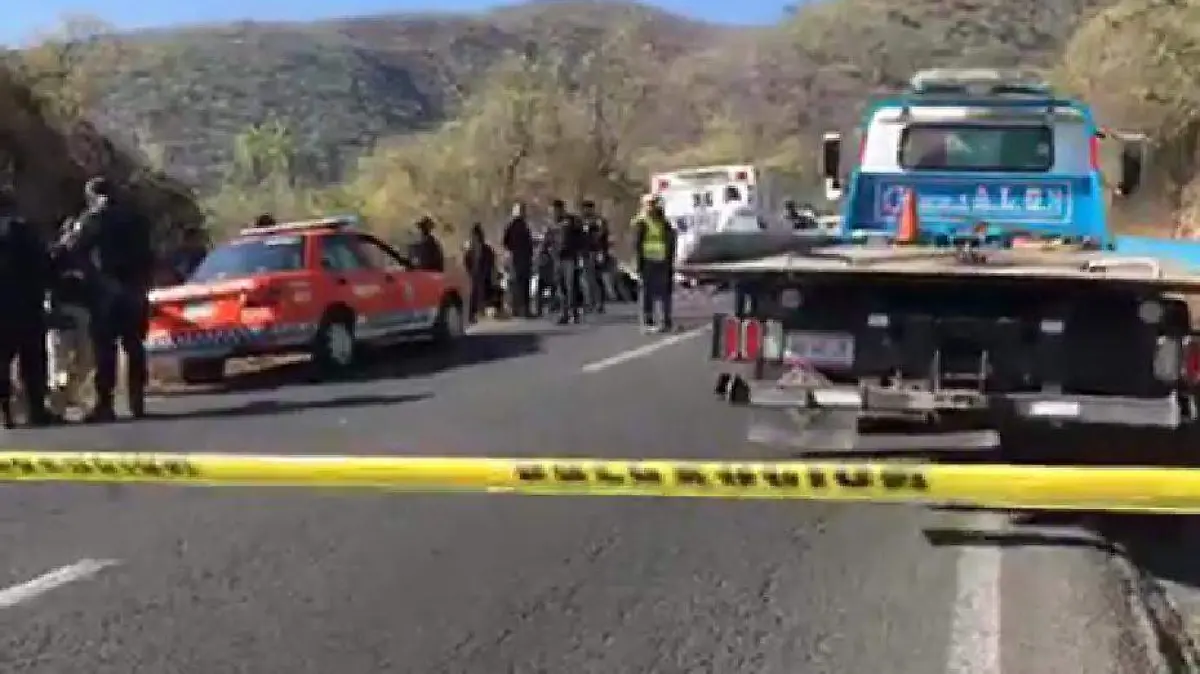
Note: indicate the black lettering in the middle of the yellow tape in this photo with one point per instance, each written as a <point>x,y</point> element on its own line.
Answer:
<point>749,478</point>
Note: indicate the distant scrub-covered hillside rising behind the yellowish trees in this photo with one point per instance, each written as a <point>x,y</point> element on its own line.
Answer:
<point>343,86</point>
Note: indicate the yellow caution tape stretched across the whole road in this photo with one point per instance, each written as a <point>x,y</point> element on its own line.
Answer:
<point>1133,490</point>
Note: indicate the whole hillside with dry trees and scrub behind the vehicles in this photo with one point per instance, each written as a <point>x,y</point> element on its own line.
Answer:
<point>458,116</point>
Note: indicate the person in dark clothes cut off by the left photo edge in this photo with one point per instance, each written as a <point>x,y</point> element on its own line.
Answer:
<point>25,281</point>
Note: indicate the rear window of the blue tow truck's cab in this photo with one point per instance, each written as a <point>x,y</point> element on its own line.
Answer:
<point>979,148</point>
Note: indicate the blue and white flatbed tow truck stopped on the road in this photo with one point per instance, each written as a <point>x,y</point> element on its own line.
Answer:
<point>974,290</point>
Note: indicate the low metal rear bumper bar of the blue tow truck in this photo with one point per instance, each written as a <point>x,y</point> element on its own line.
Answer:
<point>1154,413</point>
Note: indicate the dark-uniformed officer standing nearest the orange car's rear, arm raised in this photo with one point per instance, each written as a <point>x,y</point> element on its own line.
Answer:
<point>118,242</point>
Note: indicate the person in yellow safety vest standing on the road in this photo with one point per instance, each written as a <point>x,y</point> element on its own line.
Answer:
<point>656,263</point>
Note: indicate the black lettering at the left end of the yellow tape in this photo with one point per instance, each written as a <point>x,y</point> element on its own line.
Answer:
<point>106,468</point>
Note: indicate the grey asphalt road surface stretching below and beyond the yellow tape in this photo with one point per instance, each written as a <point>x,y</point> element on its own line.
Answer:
<point>164,581</point>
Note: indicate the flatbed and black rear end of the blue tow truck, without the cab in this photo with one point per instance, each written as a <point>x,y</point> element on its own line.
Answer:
<point>953,346</point>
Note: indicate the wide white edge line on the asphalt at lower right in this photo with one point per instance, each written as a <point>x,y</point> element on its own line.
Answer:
<point>975,631</point>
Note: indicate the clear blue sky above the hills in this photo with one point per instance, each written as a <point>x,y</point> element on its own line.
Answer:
<point>26,19</point>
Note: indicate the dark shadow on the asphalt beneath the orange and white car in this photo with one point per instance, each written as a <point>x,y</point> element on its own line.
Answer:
<point>415,359</point>
